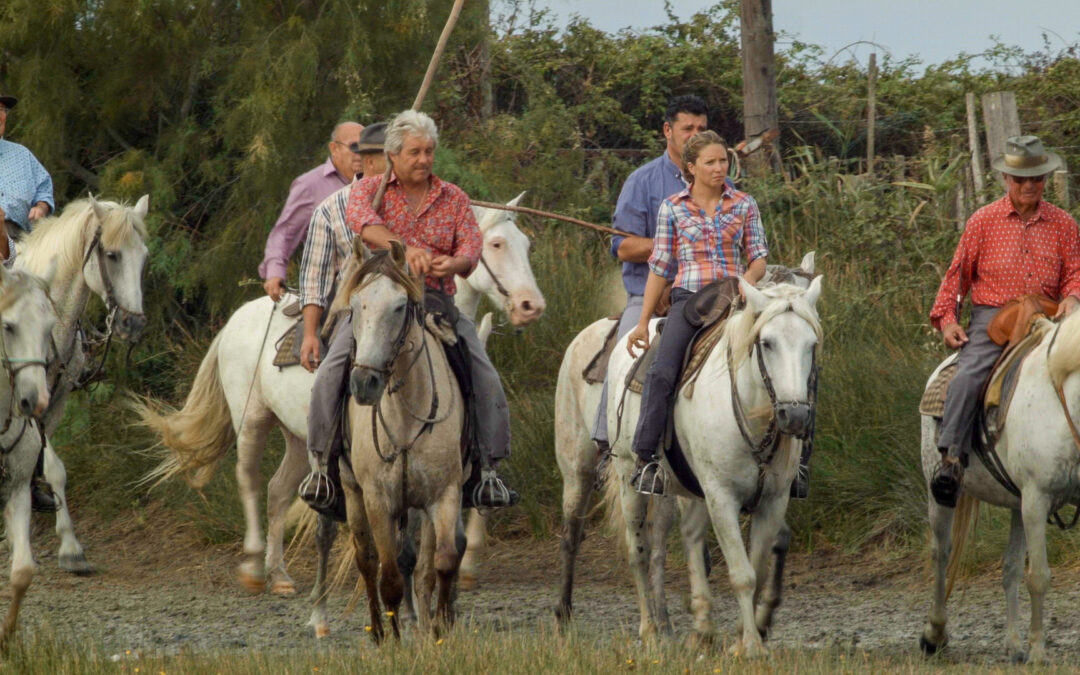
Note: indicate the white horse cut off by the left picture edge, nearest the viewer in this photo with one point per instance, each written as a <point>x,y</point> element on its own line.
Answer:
<point>28,318</point>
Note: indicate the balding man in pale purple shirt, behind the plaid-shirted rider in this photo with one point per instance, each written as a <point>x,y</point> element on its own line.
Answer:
<point>308,192</point>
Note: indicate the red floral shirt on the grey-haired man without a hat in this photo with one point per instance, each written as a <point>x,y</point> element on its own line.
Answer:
<point>444,225</point>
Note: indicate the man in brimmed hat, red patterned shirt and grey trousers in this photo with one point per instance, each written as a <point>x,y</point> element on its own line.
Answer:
<point>1017,246</point>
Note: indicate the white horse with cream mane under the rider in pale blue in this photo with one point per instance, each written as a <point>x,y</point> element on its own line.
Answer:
<point>100,248</point>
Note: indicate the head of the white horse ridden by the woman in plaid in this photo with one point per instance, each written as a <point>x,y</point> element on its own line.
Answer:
<point>781,323</point>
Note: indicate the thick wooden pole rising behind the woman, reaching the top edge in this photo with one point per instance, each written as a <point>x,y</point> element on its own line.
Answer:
<point>760,80</point>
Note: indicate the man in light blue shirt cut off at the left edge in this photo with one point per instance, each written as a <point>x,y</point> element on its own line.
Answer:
<point>26,188</point>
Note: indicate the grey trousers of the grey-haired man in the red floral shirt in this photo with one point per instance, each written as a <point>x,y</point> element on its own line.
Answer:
<point>331,388</point>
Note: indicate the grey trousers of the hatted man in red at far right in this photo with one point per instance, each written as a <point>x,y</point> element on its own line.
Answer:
<point>975,364</point>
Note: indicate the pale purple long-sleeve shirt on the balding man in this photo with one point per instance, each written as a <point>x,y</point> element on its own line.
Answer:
<point>307,192</point>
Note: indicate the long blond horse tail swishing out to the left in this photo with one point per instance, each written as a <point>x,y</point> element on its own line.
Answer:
<point>198,436</point>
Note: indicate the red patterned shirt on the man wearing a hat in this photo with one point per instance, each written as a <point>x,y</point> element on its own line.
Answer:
<point>1002,258</point>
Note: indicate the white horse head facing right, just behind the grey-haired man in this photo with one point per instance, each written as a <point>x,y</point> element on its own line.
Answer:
<point>505,275</point>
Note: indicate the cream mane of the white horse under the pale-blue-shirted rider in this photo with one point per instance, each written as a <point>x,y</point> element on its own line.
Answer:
<point>67,235</point>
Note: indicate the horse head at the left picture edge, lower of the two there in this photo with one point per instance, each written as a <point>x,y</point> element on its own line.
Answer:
<point>26,325</point>
